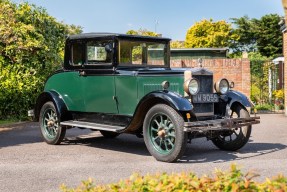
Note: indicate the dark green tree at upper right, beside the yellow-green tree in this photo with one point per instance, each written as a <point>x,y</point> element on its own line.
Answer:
<point>263,35</point>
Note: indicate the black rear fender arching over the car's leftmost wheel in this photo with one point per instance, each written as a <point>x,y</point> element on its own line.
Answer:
<point>58,102</point>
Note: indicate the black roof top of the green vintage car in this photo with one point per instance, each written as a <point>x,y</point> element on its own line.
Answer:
<point>105,35</point>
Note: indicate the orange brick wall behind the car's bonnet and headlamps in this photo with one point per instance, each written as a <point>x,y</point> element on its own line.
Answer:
<point>236,70</point>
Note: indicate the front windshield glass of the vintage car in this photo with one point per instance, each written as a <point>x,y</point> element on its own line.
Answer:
<point>142,53</point>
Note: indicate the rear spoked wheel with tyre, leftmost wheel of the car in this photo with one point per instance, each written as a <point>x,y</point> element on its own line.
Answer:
<point>51,130</point>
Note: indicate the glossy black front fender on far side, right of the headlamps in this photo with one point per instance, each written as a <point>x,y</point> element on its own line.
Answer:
<point>235,96</point>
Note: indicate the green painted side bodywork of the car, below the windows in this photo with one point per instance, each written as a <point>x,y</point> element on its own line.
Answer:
<point>116,94</point>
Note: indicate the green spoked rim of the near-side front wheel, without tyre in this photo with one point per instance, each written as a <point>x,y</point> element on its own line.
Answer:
<point>161,131</point>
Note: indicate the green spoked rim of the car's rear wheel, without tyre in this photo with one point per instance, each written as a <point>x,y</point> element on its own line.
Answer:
<point>50,125</point>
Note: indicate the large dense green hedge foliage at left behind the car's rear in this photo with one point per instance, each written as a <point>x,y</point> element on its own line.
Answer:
<point>31,47</point>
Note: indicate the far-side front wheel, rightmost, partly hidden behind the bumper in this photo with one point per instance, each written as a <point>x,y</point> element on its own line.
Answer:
<point>234,139</point>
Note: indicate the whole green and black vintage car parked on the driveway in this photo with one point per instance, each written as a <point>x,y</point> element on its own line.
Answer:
<point>117,83</point>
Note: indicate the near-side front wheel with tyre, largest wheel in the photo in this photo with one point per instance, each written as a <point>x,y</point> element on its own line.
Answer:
<point>163,133</point>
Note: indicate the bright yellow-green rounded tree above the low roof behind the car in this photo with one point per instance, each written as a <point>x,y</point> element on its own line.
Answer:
<point>208,33</point>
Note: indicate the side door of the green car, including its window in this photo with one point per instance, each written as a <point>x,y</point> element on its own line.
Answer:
<point>97,78</point>
